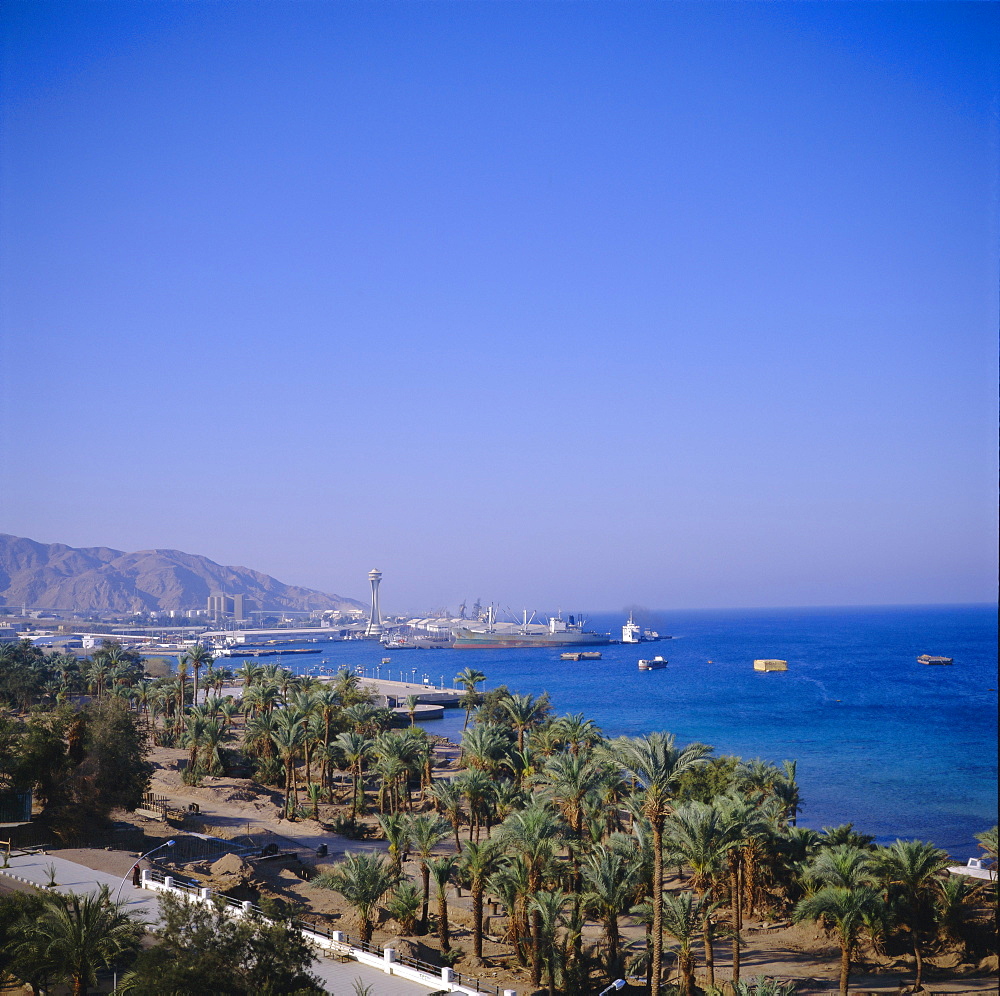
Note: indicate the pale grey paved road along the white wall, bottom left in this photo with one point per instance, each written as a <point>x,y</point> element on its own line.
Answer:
<point>32,869</point>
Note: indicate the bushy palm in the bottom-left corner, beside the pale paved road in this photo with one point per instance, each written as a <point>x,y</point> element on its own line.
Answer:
<point>77,935</point>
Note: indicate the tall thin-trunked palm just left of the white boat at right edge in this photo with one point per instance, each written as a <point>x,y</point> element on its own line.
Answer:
<point>911,869</point>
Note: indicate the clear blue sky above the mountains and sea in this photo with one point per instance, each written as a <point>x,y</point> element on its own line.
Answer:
<point>570,304</point>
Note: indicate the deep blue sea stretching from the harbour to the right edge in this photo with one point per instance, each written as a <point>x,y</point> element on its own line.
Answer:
<point>898,748</point>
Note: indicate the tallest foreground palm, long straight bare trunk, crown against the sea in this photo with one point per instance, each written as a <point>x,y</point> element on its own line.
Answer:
<point>656,763</point>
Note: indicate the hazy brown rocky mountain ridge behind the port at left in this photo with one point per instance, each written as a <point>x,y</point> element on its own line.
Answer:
<point>56,576</point>
